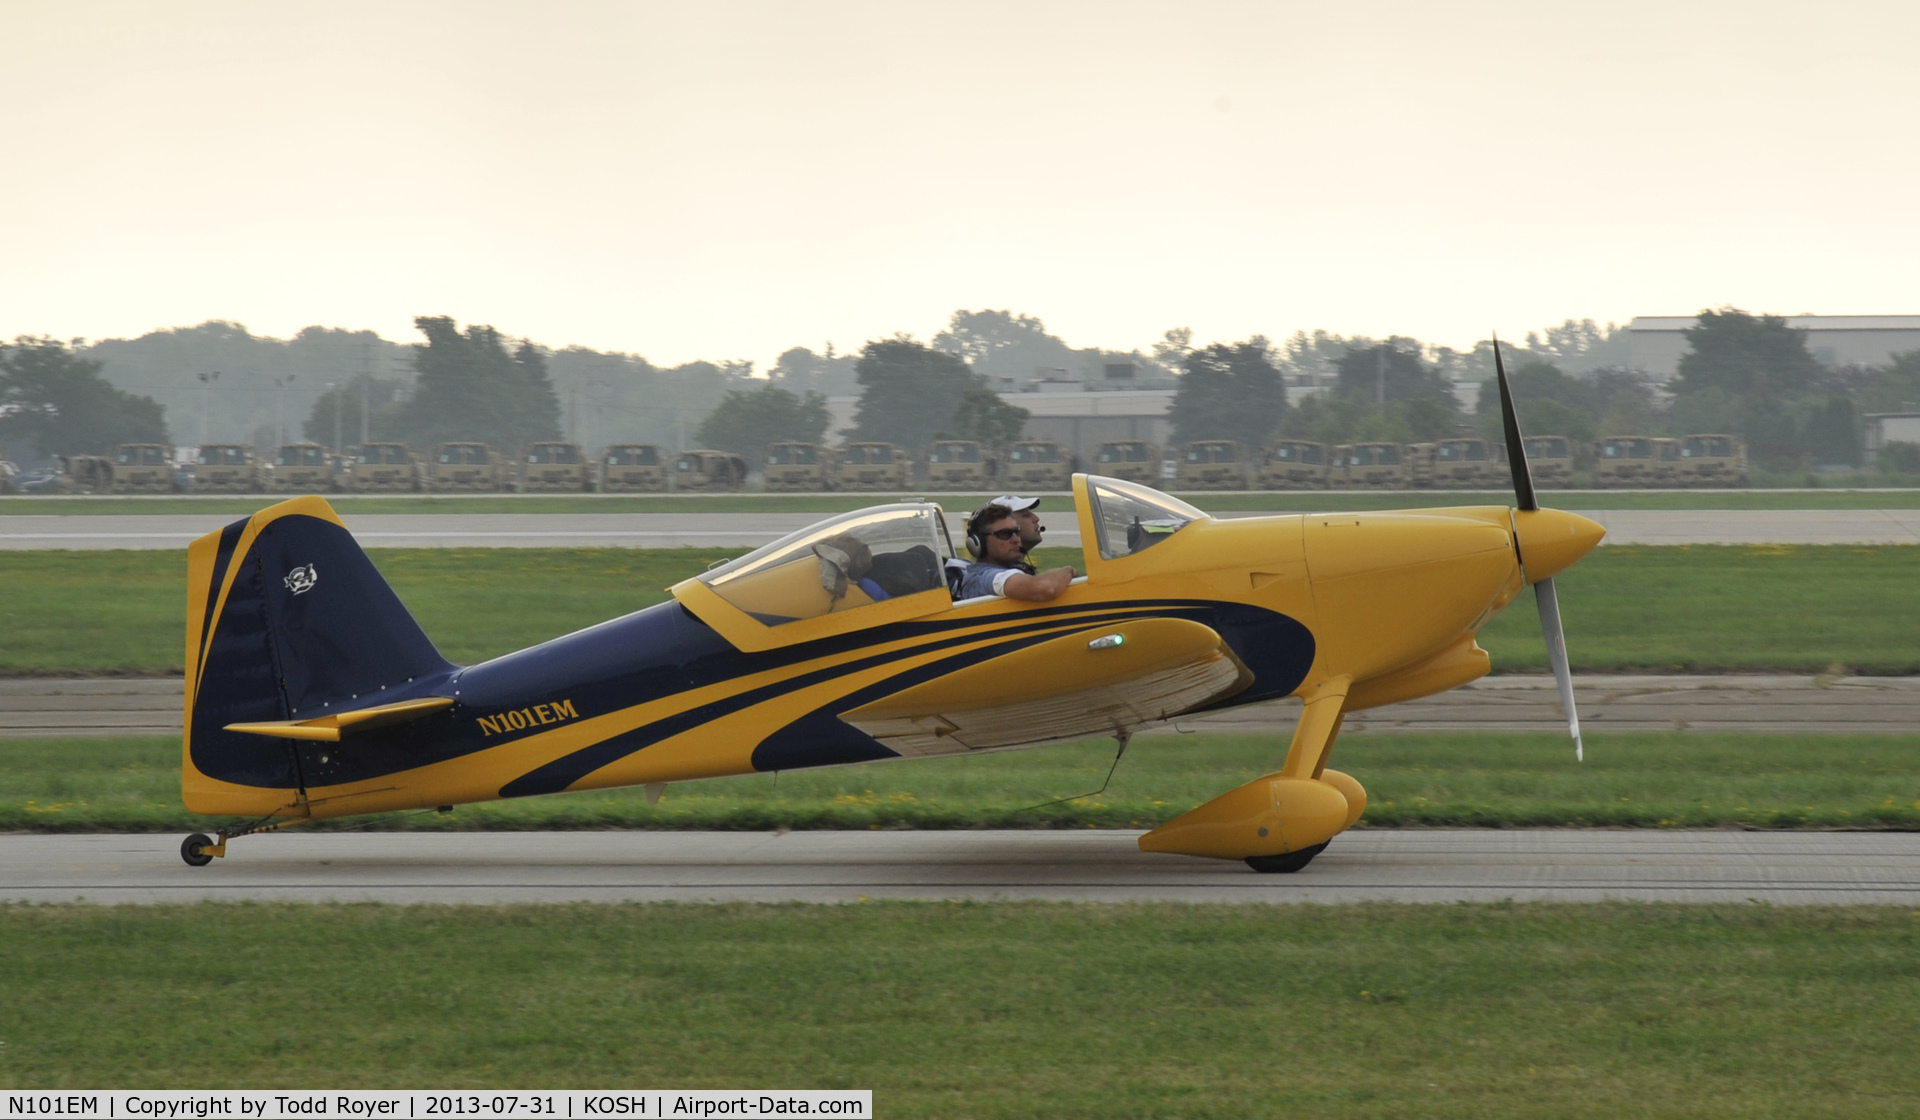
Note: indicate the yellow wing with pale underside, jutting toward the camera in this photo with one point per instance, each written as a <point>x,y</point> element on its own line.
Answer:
<point>1093,683</point>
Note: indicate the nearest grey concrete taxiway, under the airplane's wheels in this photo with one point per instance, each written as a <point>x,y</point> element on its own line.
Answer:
<point>1082,865</point>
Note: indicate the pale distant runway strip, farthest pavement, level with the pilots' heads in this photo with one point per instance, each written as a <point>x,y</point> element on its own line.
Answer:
<point>172,531</point>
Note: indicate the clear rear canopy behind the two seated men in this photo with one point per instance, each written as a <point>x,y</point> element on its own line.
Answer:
<point>848,562</point>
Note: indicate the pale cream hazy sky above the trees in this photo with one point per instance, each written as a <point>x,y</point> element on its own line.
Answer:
<point>732,180</point>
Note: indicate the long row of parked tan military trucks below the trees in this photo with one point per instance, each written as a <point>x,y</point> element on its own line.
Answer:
<point>949,466</point>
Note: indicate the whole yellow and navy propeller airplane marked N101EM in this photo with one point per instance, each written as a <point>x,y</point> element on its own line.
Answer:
<point>314,694</point>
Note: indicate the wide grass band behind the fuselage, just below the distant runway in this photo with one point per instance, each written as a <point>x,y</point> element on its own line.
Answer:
<point>1689,608</point>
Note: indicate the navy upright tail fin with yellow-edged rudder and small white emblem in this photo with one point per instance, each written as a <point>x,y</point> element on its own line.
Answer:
<point>287,620</point>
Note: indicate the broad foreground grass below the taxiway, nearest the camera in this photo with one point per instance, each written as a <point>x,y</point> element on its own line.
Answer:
<point>1468,1011</point>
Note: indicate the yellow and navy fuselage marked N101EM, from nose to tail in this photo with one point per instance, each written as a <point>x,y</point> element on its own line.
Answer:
<point>690,691</point>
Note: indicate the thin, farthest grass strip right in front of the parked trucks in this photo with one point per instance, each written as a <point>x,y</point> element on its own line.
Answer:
<point>1289,502</point>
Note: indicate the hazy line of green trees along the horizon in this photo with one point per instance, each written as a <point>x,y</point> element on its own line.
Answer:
<point>1750,376</point>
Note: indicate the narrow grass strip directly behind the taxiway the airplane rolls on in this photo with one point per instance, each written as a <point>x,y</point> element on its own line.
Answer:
<point>1433,781</point>
